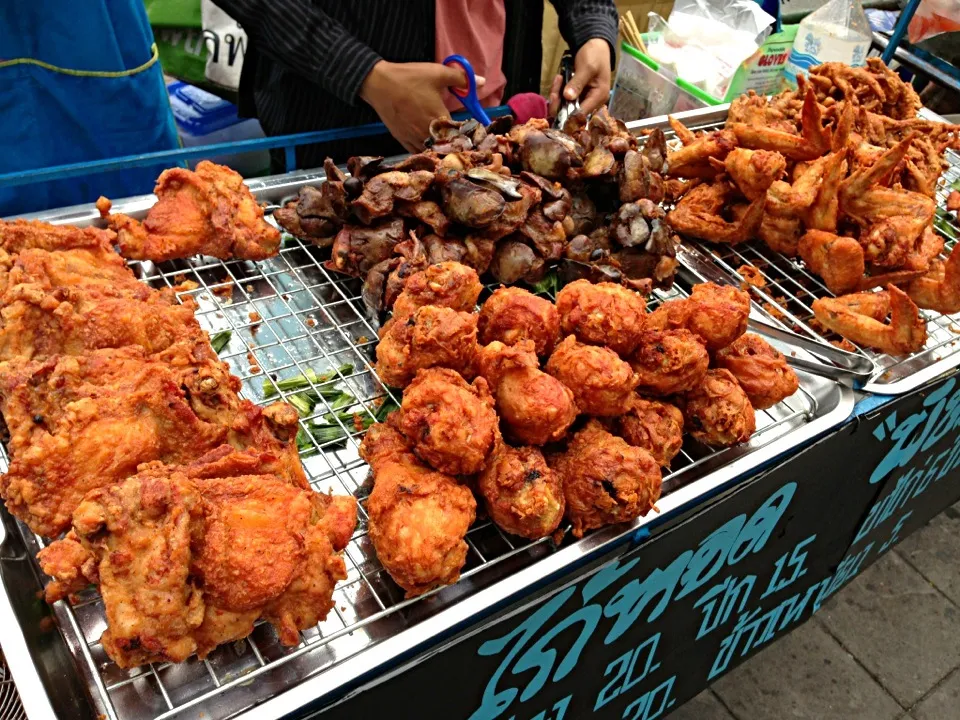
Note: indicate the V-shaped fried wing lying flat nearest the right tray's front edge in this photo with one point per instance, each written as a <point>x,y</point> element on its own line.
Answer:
<point>859,318</point>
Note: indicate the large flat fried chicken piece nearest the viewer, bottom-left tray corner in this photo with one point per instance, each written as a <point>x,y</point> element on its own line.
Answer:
<point>178,555</point>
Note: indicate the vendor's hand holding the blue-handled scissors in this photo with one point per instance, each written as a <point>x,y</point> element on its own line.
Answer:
<point>408,96</point>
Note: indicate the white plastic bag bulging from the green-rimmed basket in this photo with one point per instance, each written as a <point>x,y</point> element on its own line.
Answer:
<point>705,41</point>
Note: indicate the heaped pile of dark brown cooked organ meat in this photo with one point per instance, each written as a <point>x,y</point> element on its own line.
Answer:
<point>508,199</point>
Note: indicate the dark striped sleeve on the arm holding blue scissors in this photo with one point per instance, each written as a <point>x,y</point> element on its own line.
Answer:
<point>307,41</point>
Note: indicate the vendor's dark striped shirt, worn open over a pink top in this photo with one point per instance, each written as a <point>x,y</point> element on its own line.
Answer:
<point>308,58</point>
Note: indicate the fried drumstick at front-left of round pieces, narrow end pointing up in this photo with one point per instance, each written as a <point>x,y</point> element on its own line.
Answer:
<point>418,517</point>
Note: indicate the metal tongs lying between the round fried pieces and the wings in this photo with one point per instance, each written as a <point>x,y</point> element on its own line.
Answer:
<point>838,364</point>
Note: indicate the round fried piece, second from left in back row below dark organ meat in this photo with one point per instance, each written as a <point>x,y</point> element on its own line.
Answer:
<point>512,315</point>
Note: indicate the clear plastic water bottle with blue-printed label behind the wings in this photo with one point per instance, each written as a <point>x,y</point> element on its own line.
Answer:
<point>837,32</point>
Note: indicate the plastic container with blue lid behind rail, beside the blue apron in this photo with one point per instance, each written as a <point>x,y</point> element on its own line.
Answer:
<point>205,119</point>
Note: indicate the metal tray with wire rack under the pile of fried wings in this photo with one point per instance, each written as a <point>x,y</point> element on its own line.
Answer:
<point>791,288</point>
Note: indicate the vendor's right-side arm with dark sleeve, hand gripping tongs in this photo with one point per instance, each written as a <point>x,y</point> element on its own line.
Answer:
<point>590,29</point>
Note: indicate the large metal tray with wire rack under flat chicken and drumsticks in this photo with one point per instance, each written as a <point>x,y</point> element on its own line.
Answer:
<point>288,314</point>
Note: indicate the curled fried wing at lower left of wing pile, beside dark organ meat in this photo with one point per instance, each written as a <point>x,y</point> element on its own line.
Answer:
<point>698,214</point>
